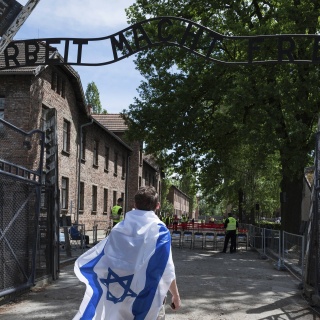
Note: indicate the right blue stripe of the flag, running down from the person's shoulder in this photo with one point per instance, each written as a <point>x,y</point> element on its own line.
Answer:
<point>154,272</point>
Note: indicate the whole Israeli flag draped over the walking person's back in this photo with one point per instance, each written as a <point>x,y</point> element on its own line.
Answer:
<point>128,274</point>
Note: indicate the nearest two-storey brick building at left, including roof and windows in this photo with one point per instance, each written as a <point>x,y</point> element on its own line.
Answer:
<point>91,161</point>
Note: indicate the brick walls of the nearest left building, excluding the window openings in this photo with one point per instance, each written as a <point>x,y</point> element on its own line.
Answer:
<point>24,98</point>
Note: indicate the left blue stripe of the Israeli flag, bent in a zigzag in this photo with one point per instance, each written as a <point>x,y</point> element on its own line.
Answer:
<point>91,276</point>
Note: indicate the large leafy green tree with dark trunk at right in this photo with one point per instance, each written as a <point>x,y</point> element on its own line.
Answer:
<point>200,110</point>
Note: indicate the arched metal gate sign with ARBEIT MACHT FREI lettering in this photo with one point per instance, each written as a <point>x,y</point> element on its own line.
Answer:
<point>169,31</point>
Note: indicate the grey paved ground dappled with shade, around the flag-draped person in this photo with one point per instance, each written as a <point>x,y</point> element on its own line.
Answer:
<point>213,286</point>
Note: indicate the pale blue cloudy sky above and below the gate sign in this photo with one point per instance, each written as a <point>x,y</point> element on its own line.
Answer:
<point>117,82</point>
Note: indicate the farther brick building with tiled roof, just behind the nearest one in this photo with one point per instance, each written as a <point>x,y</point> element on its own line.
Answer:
<point>143,168</point>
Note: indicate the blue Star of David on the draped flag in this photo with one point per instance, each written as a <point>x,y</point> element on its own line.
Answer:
<point>124,282</point>
